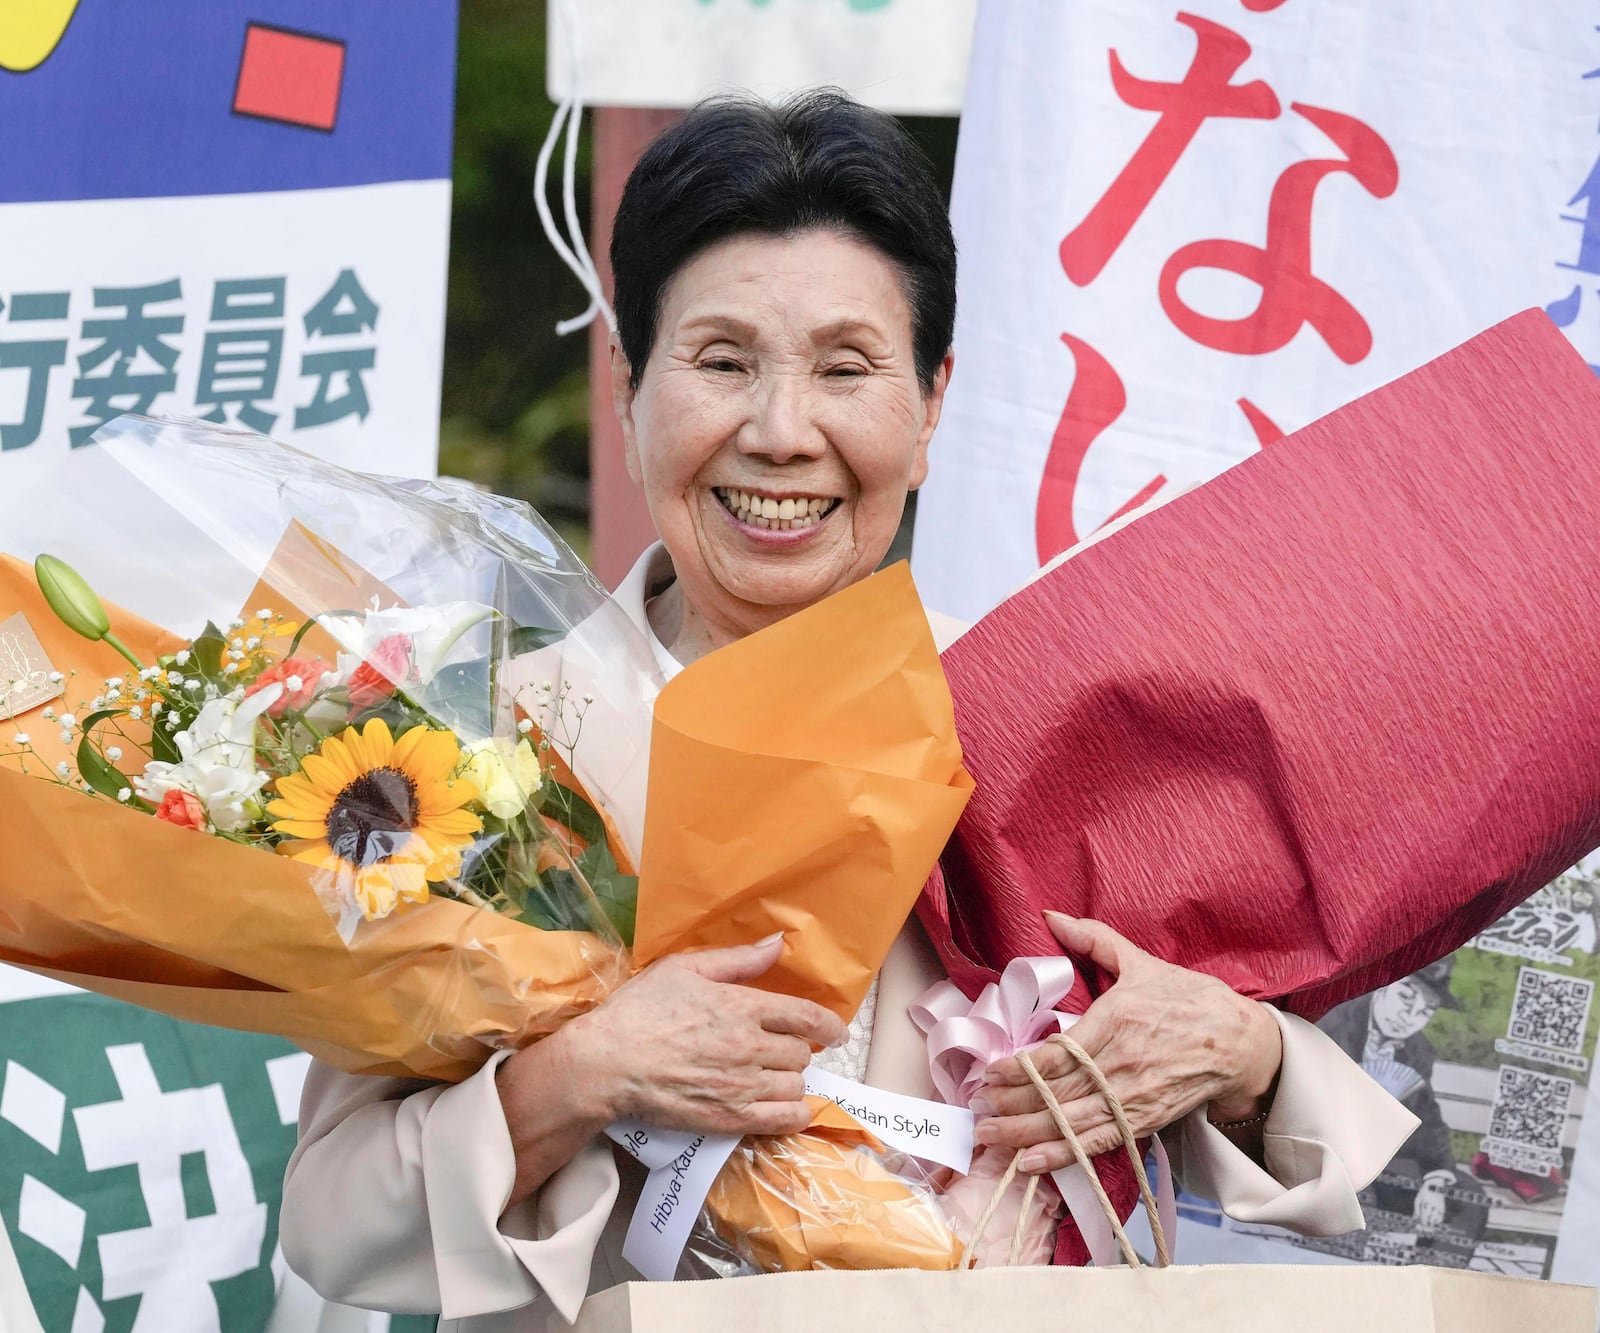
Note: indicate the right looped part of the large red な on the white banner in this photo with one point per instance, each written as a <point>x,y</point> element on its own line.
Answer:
<point>1290,294</point>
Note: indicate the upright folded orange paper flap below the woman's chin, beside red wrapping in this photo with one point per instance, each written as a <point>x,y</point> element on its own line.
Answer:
<point>804,780</point>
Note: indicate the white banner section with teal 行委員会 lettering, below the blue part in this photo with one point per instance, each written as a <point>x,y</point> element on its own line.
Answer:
<point>308,316</point>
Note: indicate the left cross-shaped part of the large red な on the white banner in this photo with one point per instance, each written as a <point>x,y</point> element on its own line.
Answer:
<point>1202,94</point>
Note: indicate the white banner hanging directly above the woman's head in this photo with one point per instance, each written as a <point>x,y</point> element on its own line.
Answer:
<point>908,57</point>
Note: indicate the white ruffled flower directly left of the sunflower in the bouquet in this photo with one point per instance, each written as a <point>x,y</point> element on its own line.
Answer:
<point>218,764</point>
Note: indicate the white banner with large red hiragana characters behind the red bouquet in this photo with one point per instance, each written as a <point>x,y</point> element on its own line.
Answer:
<point>1188,231</point>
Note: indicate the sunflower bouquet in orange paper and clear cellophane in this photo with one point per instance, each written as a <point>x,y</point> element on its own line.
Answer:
<point>369,769</point>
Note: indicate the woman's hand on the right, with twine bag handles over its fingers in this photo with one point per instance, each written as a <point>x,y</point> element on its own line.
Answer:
<point>1167,1039</point>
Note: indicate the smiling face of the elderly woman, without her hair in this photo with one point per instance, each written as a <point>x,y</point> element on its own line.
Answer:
<point>778,423</point>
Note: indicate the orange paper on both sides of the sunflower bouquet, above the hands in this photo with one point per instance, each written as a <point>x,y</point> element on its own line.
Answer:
<point>833,830</point>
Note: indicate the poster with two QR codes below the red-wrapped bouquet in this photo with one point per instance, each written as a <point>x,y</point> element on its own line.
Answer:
<point>1494,1051</point>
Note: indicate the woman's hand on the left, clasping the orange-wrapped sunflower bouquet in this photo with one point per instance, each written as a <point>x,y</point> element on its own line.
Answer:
<point>682,1046</point>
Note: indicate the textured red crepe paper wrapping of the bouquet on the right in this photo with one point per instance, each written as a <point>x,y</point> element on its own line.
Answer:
<point>1314,724</point>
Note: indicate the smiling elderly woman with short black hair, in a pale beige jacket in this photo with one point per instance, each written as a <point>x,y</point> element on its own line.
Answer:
<point>785,297</point>
